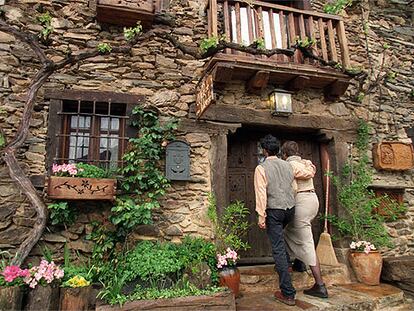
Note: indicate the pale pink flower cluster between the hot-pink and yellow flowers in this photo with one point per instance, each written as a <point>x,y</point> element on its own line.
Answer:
<point>46,272</point>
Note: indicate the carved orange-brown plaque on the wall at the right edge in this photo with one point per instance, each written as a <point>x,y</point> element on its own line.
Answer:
<point>393,156</point>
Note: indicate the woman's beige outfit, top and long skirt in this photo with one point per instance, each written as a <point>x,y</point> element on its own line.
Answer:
<point>298,233</point>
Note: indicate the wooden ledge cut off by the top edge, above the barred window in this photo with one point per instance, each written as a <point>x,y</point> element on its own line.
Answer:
<point>127,12</point>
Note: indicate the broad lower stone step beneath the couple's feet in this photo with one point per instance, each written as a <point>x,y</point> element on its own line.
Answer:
<point>348,297</point>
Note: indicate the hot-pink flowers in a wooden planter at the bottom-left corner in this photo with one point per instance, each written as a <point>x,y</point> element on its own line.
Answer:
<point>11,283</point>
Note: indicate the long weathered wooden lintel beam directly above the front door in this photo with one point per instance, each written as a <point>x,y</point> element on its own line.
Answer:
<point>234,114</point>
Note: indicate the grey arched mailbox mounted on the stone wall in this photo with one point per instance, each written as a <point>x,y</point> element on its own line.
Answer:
<point>177,166</point>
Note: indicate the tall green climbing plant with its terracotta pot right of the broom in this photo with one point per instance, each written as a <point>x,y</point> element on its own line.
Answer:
<point>360,223</point>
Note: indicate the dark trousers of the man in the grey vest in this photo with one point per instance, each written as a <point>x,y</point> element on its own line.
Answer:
<point>276,220</point>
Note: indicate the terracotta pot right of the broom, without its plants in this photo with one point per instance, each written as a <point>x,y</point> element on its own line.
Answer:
<point>367,267</point>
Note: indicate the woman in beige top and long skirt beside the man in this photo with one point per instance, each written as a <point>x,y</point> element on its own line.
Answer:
<point>298,234</point>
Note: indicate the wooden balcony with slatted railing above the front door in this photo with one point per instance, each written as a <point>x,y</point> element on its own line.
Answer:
<point>280,27</point>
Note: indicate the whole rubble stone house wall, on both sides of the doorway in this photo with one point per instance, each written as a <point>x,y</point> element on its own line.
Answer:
<point>168,79</point>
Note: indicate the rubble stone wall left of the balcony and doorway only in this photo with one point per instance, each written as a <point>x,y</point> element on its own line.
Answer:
<point>155,69</point>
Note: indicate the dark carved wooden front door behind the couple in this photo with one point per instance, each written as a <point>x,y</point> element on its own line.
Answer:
<point>243,157</point>
